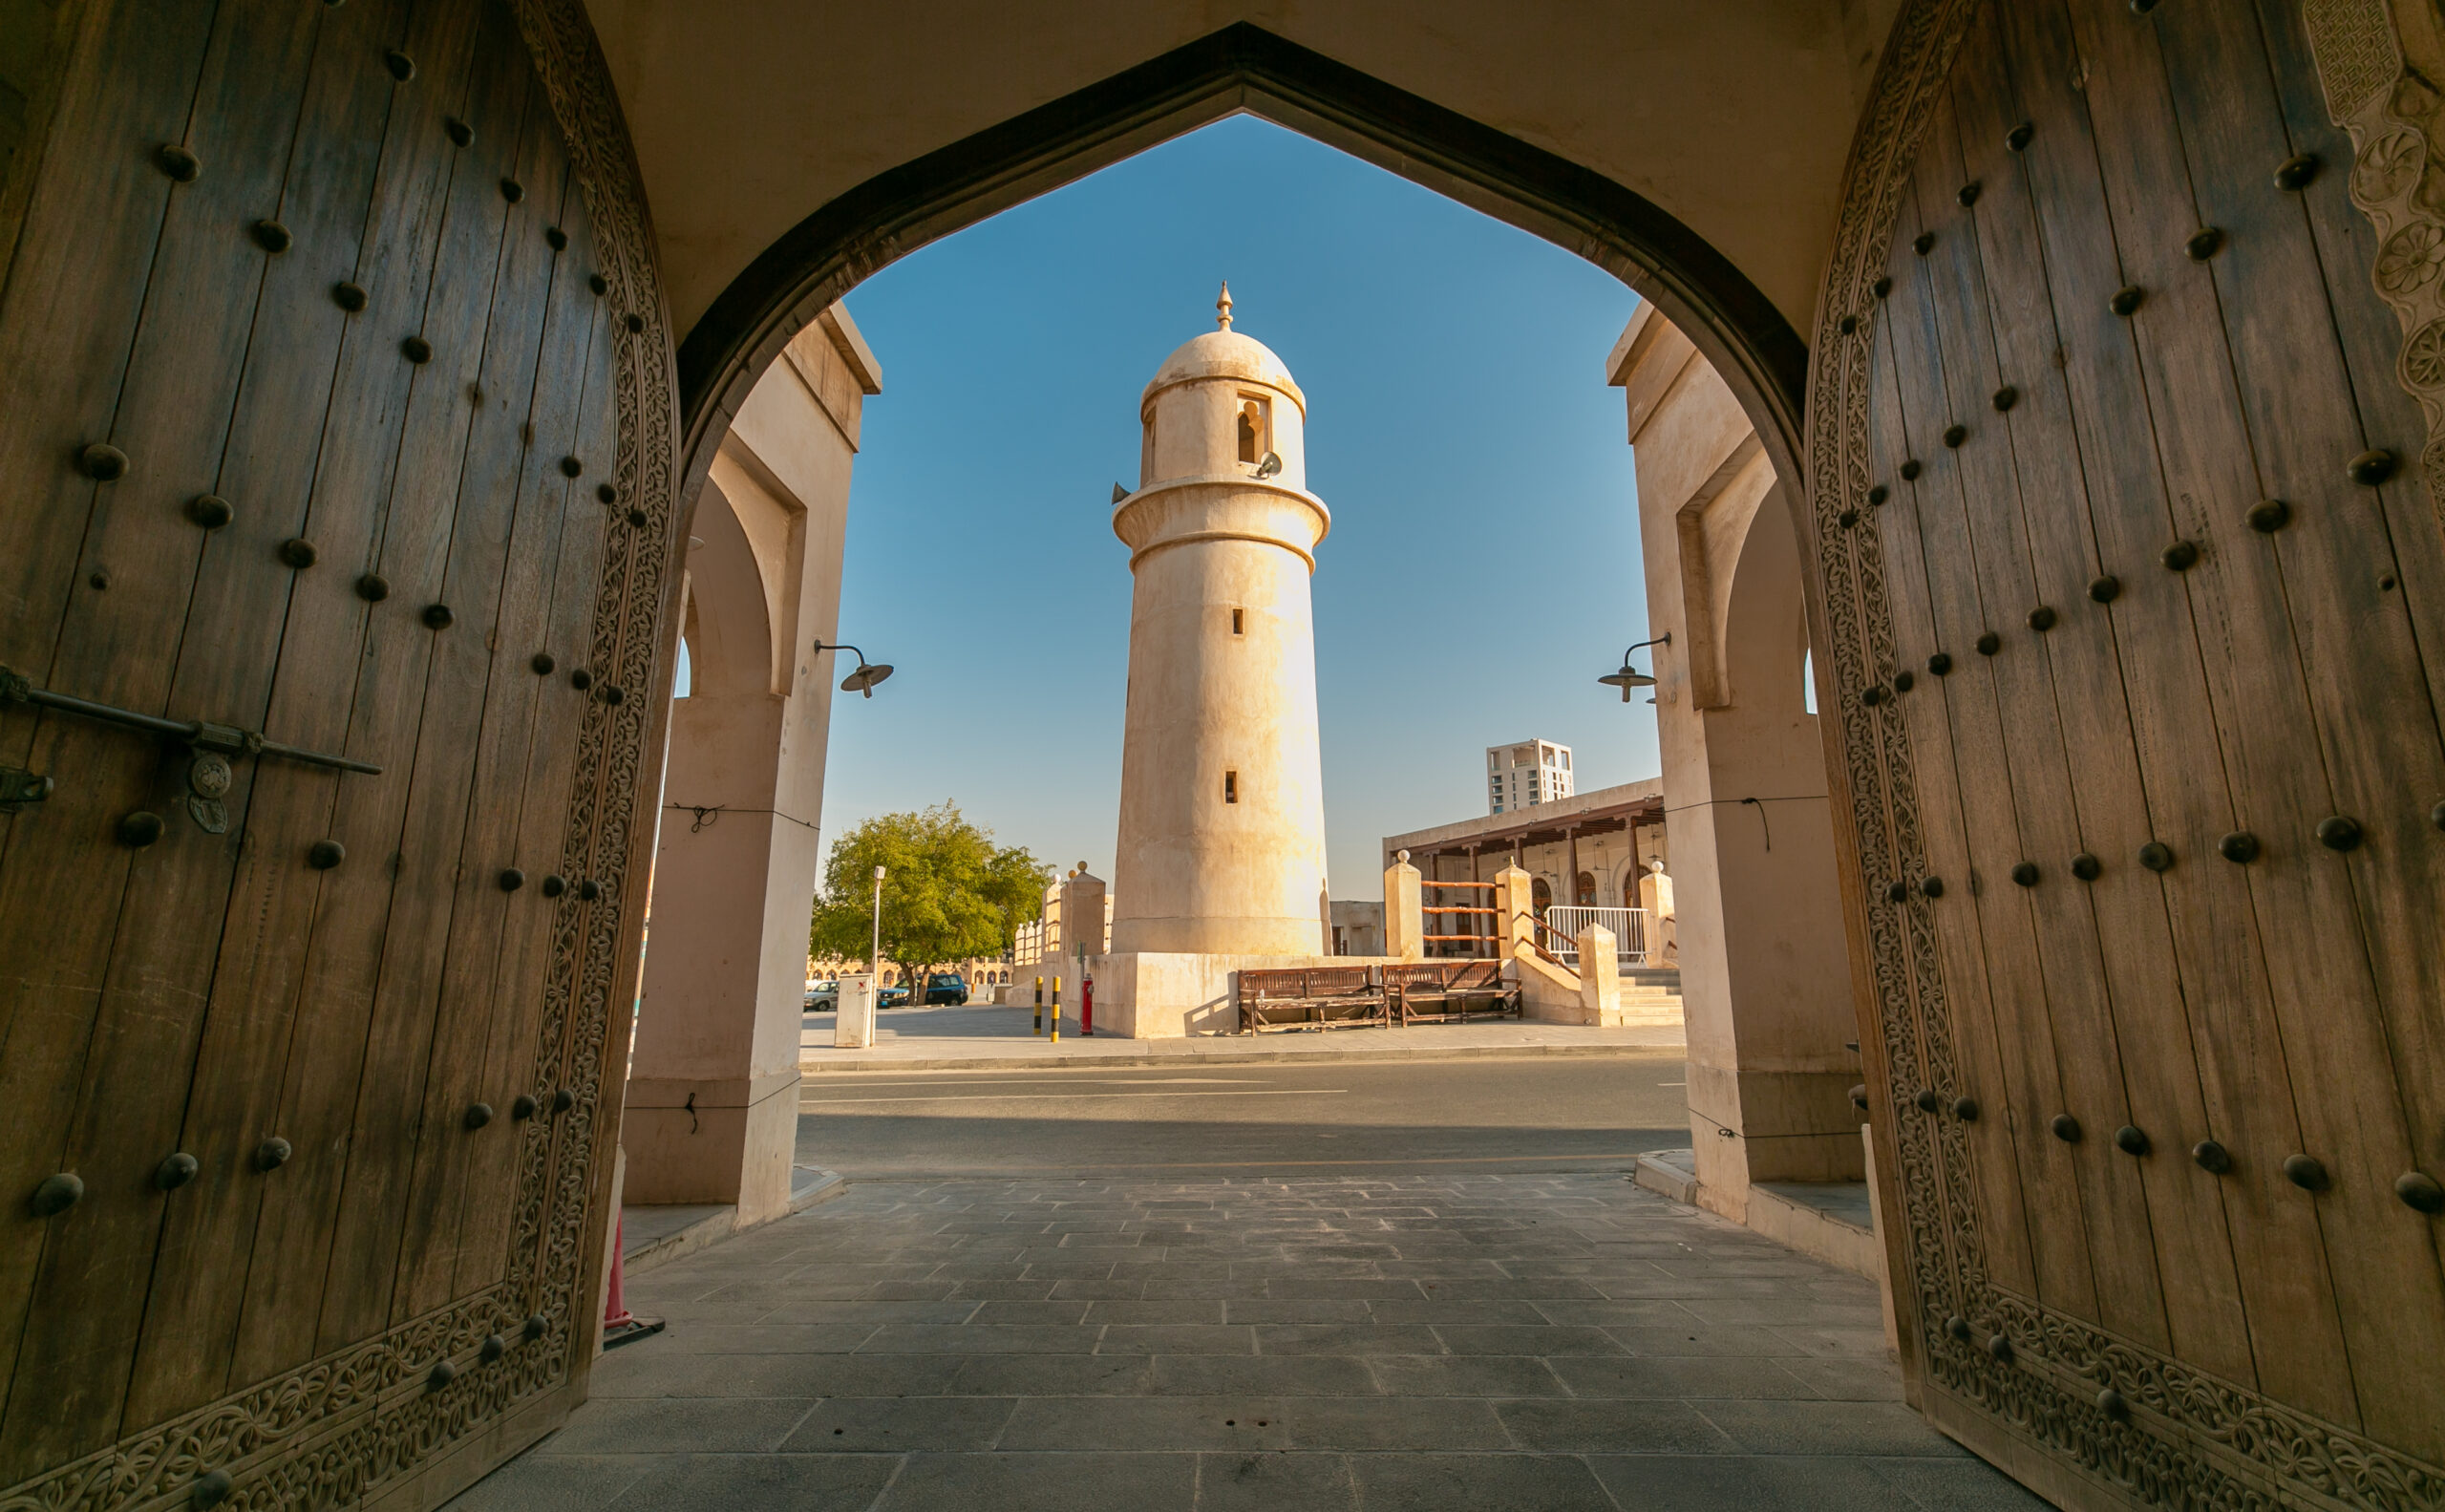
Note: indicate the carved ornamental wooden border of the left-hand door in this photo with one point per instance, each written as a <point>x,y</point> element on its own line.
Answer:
<point>366,1420</point>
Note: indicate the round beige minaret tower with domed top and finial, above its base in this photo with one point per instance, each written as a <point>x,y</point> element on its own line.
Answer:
<point>1221,784</point>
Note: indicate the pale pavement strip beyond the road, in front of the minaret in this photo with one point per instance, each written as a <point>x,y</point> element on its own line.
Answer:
<point>984,1036</point>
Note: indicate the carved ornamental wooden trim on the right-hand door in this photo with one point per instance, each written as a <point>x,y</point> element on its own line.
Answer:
<point>2185,1440</point>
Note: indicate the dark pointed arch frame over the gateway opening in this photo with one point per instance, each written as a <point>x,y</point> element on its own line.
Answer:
<point>1241,70</point>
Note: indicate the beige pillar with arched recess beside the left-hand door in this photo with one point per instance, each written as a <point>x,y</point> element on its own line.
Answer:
<point>713,1080</point>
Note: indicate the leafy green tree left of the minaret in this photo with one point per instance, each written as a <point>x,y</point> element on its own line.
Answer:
<point>947,892</point>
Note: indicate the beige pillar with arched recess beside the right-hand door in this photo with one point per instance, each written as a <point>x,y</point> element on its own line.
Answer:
<point>1754,892</point>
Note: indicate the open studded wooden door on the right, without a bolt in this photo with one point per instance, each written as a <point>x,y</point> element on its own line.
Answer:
<point>2128,525</point>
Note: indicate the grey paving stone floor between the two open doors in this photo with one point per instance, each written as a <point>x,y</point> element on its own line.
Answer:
<point>1539,1342</point>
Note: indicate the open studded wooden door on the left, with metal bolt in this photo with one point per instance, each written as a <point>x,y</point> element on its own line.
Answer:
<point>336,417</point>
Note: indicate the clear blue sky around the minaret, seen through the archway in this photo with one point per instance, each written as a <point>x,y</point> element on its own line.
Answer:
<point>1483,566</point>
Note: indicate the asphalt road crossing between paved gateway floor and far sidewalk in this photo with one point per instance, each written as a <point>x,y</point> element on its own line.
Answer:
<point>1449,1117</point>
